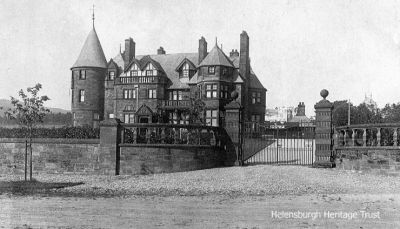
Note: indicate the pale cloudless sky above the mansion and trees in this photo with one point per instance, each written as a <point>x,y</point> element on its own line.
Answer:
<point>297,47</point>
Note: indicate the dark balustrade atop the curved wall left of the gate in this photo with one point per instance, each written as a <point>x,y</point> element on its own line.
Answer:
<point>172,134</point>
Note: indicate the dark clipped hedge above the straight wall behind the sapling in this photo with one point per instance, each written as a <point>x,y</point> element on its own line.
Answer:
<point>63,132</point>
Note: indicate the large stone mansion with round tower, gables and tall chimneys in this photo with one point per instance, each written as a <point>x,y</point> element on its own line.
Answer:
<point>162,87</point>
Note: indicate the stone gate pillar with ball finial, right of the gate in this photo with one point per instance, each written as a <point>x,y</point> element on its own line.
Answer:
<point>323,132</point>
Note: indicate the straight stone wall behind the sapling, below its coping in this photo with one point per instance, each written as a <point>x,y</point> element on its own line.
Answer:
<point>79,156</point>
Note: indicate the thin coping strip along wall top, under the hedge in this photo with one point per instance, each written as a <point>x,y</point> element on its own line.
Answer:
<point>52,140</point>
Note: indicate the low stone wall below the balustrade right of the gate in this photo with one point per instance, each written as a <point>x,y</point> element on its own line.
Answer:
<point>377,160</point>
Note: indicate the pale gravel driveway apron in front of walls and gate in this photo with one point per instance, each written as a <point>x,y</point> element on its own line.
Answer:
<point>257,180</point>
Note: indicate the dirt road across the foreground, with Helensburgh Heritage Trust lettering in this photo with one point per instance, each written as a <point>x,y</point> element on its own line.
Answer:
<point>329,211</point>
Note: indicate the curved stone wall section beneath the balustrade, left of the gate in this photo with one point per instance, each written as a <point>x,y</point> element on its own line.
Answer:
<point>149,159</point>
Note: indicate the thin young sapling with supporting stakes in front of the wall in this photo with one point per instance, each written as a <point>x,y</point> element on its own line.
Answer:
<point>28,111</point>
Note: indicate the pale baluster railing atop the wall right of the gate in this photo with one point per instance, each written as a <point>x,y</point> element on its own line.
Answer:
<point>367,135</point>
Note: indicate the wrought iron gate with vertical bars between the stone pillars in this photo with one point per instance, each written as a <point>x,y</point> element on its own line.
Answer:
<point>290,146</point>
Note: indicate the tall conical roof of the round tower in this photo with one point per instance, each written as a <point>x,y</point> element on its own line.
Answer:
<point>92,54</point>
